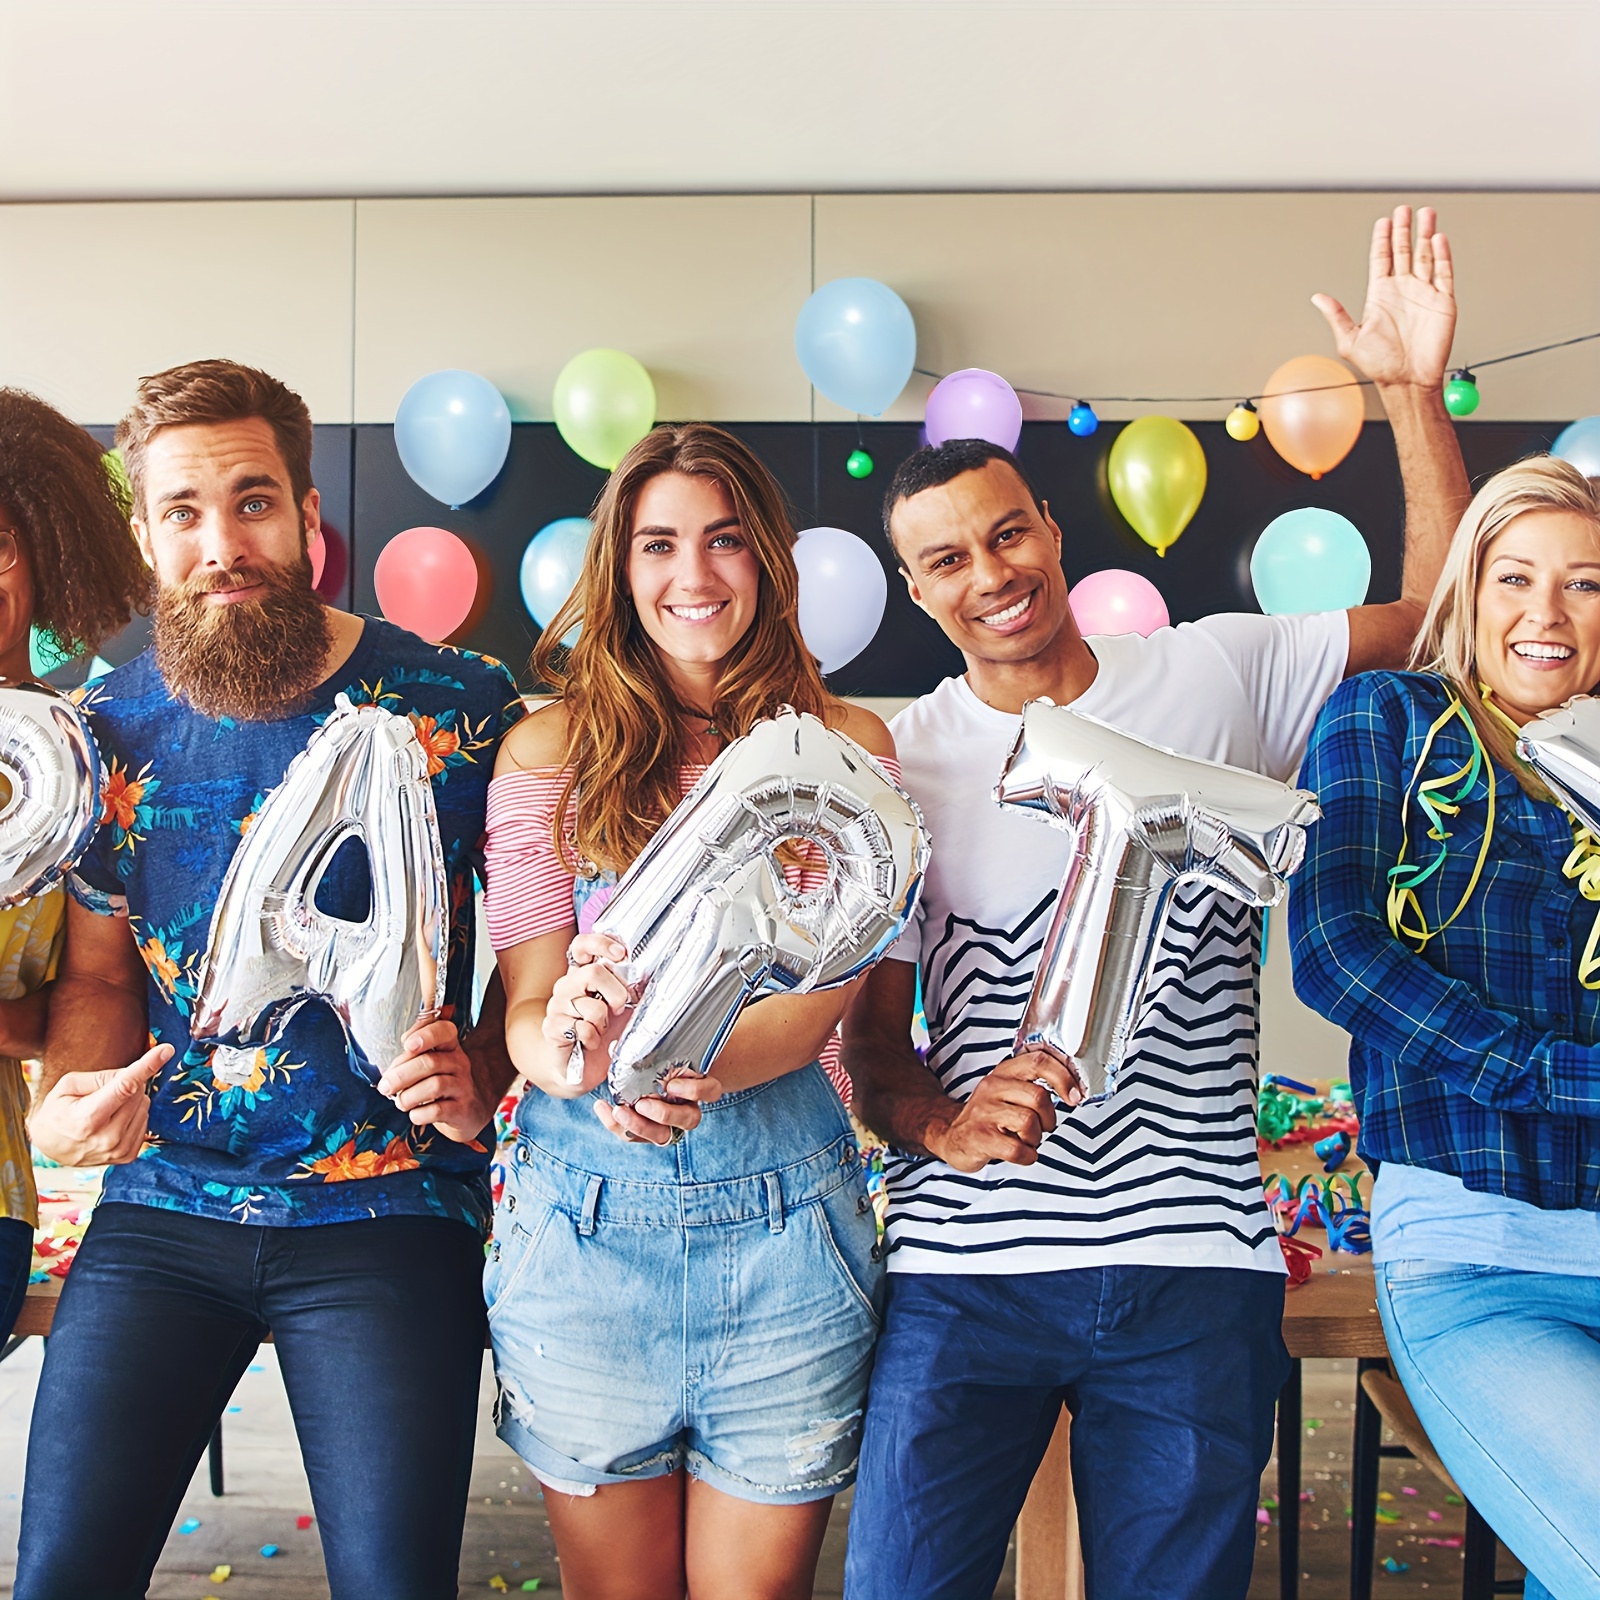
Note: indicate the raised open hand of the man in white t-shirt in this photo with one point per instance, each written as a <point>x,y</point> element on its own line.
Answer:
<point>1410,316</point>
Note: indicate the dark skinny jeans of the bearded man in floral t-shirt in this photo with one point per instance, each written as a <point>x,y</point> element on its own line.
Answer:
<point>380,1338</point>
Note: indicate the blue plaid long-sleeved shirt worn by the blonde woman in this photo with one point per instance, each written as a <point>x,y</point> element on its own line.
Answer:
<point>1479,1055</point>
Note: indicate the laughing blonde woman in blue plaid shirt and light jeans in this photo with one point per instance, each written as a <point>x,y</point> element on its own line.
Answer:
<point>1449,919</point>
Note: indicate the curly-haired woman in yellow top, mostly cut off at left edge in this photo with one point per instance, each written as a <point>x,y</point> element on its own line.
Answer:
<point>71,569</point>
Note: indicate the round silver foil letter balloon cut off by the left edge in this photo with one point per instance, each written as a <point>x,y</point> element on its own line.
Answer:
<point>50,777</point>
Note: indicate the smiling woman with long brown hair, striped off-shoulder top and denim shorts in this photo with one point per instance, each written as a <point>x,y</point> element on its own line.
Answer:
<point>682,1327</point>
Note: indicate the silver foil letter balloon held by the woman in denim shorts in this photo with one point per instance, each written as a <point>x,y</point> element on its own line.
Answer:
<point>710,919</point>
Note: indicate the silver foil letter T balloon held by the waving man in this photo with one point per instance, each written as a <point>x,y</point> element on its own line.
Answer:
<point>1146,820</point>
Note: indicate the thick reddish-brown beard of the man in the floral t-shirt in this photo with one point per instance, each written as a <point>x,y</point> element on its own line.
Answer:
<point>255,660</point>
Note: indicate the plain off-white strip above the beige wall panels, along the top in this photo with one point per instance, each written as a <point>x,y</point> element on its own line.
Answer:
<point>183,98</point>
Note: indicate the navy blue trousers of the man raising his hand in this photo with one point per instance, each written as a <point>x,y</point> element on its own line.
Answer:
<point>1172,1377</point>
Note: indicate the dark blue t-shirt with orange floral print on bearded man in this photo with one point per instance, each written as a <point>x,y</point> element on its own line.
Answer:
<point>286,1134</point>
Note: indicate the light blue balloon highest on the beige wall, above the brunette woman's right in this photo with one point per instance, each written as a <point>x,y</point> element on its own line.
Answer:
<point>857,343</point>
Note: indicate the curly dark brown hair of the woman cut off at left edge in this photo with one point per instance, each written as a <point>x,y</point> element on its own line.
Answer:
<point>71,518</point>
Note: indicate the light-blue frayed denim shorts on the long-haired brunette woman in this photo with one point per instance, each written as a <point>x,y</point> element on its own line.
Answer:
<point>710,1306</point>
